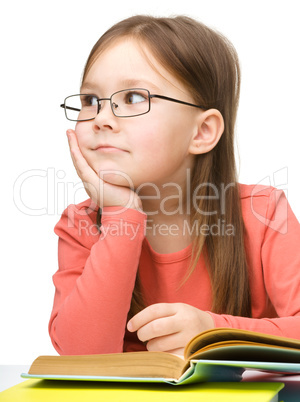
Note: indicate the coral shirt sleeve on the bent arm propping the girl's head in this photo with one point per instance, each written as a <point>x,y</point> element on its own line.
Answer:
<point>95,279</point>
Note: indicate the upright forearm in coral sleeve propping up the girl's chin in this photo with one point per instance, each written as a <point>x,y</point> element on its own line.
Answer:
<point>91,304</point>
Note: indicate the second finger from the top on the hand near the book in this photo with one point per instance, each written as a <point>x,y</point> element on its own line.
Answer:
<point>159,328</point>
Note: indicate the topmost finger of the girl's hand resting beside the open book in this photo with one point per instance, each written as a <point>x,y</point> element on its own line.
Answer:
<point>151,313</point>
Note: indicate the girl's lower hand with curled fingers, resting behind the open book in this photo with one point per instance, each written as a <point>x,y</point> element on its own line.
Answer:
<point>168,327</point>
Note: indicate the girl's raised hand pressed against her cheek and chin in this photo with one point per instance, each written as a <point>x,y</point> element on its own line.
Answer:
<point>101,192</point>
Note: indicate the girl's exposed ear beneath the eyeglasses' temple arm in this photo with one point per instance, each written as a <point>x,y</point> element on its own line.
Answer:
<point>210,127</point>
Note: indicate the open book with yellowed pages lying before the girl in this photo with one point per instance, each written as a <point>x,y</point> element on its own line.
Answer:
<point>219,354</point>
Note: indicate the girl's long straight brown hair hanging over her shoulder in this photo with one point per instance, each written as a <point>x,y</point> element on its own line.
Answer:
<point>207,64</point>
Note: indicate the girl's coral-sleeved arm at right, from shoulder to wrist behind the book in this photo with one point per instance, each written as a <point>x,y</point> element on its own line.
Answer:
<point>274,262</point>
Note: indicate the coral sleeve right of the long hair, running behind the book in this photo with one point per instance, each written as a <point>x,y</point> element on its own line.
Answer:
<point>280,264</point>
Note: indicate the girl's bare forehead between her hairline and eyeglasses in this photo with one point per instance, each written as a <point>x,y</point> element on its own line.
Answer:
<point>129,63</point>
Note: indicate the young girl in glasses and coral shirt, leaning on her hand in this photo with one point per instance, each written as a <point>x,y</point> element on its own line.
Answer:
<point>168,244</point>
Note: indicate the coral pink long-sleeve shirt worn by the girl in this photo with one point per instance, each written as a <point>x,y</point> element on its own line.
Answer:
<point>96,274</point>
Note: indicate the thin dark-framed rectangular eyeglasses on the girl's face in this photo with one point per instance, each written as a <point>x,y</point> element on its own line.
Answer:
<point>126,103</point>
